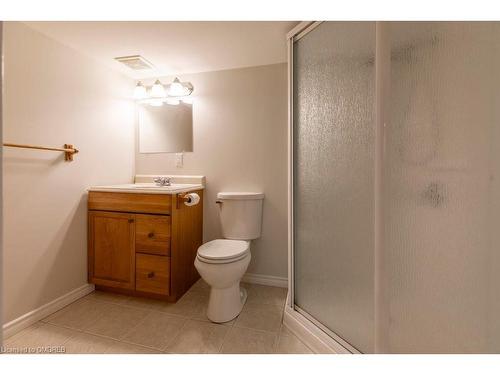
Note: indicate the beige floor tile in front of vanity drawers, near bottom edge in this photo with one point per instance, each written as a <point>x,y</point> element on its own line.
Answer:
<point>157,330</point>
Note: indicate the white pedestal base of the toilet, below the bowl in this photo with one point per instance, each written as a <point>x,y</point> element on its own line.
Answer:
<point>226,304</point>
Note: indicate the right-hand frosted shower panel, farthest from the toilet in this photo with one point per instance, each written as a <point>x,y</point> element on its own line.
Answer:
<point>442,198</point>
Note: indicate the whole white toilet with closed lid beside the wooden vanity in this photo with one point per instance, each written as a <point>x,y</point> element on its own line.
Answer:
<point>223,262</point>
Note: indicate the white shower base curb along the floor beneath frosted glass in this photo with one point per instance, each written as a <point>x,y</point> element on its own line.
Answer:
<point>309,334</point>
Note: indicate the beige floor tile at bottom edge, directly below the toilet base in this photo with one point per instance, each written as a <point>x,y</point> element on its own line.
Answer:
<point>248,341</point>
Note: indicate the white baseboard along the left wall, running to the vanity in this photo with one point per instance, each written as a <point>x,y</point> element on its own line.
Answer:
<point>24,321</point>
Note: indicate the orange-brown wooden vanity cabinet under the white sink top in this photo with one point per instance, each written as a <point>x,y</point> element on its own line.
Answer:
<point>143,244</point>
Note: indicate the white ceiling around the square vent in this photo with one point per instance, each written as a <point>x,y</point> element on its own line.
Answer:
<point>175,47</point>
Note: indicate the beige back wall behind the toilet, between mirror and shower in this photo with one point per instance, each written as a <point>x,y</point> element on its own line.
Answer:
<point>240,143</point>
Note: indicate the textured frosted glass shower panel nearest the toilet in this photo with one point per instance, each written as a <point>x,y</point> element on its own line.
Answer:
<point>333,194</point>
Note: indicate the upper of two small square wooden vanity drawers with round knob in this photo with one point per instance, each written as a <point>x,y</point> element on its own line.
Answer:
<point>152,234</point>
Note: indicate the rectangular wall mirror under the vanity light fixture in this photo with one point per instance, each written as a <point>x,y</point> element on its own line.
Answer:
<point>165,128</point>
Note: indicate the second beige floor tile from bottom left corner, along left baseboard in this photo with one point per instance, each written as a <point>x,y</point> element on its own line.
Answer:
<point>80,314</point>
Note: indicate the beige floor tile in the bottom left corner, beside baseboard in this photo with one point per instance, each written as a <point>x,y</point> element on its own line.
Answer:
<point>39,338</point>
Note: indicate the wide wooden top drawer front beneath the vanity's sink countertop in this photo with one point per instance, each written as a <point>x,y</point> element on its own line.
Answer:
<point>130,202</point>
